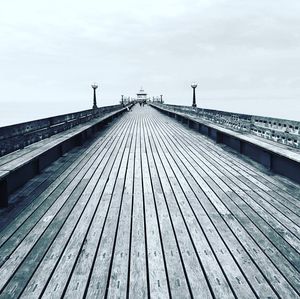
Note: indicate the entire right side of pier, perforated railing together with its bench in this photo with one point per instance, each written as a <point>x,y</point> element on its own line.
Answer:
<point>235,131</point>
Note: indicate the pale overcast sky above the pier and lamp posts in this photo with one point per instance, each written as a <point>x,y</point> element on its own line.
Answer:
<point>51,51</point>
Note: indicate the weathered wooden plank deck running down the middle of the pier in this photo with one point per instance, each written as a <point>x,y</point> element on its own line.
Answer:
<point>152,209</point>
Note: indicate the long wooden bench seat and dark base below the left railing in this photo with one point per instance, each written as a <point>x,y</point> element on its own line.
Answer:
<point>18,167</point>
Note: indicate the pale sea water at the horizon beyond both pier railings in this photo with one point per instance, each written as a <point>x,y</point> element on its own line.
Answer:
<point>13,113</point>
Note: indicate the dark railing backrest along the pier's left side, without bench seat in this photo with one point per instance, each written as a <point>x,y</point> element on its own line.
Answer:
<point>18,136</point>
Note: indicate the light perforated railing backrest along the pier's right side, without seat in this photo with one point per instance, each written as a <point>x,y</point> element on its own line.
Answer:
<point>278,130</point>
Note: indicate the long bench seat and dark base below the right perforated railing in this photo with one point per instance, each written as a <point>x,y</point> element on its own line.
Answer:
<point>273,156</point>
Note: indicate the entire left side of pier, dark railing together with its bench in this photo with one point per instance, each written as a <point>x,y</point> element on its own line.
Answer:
<point>64,132</point>
